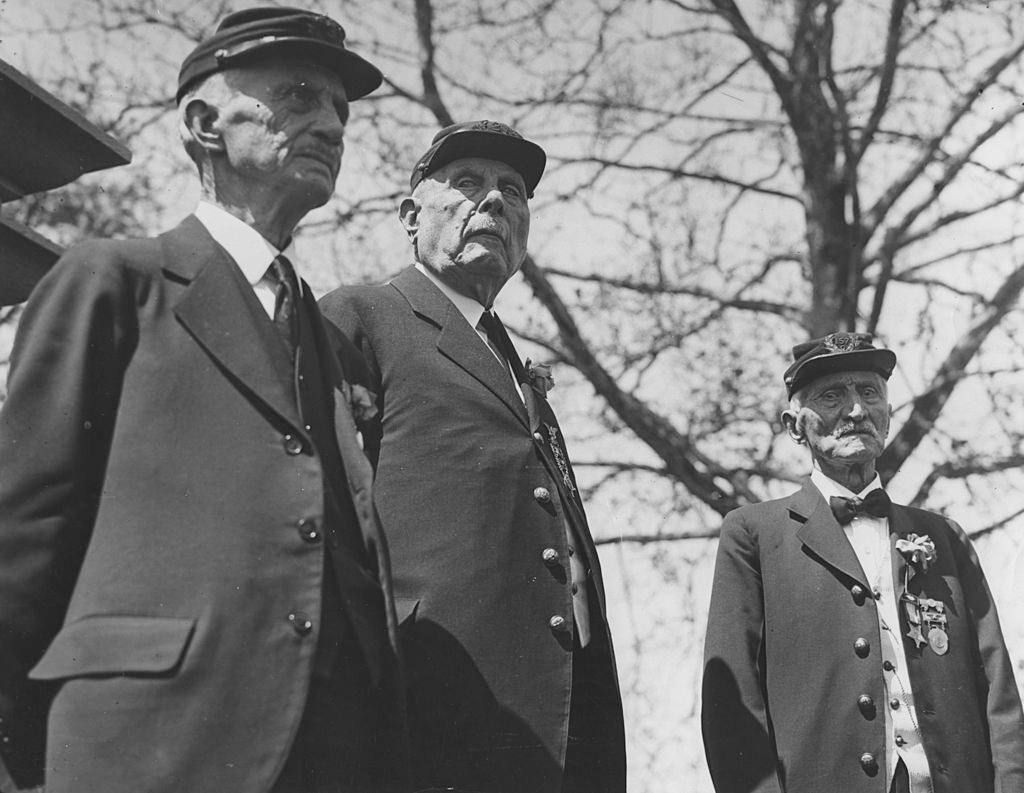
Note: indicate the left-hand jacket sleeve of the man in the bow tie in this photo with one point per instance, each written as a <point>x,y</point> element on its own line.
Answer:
<point>735,717</point>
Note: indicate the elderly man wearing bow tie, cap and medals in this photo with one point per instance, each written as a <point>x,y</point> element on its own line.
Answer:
<point>852,644</point>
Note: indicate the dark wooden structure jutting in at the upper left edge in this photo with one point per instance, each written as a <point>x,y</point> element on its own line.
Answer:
<point>44,145</point>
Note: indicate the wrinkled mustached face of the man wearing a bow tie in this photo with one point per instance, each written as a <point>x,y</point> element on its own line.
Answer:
<point>843,418</point>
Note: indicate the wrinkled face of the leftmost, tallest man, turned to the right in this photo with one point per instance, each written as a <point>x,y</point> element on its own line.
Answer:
<point>283,126</point>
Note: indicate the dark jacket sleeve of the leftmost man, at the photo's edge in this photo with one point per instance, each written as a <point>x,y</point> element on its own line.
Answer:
<point>56,427</point>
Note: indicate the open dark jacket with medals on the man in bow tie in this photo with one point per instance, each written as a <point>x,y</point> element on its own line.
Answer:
<point>783,679</point>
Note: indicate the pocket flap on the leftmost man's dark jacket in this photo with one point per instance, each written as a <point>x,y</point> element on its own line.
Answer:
<point>115,645</point>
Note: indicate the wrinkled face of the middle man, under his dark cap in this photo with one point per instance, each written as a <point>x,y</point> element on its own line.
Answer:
<point>470,222</point>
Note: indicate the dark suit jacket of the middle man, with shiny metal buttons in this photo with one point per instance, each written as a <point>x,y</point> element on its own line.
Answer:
<point>471,499</point>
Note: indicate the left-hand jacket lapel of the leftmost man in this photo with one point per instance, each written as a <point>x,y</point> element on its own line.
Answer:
<point>222,312</point>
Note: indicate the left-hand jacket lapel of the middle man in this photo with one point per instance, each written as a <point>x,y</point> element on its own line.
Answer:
<point>458,342</point>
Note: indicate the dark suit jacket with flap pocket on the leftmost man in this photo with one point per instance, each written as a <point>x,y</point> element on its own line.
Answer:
<point>156,490</point>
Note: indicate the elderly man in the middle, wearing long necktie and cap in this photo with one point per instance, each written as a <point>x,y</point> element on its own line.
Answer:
<point>498,585</point>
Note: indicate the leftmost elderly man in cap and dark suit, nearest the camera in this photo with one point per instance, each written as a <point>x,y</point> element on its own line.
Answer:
<point>194,587</point>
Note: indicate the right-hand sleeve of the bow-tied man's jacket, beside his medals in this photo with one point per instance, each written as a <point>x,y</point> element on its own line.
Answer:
<point>1003,704</point>
